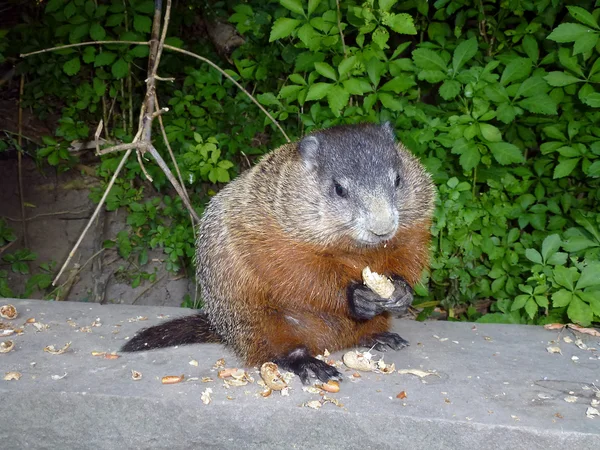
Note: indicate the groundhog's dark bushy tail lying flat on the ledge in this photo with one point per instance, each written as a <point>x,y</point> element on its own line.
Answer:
<point>185,330</point>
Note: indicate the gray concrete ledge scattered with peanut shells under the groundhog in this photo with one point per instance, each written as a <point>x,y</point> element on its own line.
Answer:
<point>498,388</point>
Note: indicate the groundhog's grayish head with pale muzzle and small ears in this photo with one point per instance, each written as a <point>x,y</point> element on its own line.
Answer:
<point>368,186</point>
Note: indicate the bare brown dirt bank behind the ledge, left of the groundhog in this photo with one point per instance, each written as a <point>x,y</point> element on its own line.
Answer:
<point>57,211</point>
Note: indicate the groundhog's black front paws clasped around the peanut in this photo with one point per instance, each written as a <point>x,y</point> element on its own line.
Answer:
<point>365,304</point>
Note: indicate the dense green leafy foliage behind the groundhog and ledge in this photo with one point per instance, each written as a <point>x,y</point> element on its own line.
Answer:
<point>500,100</point>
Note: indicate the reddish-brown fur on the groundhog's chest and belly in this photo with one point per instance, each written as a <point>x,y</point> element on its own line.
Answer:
<point>303,288</point>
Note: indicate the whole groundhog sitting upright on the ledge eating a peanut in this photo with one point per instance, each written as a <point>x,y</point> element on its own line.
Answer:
<point>281,249</point>
